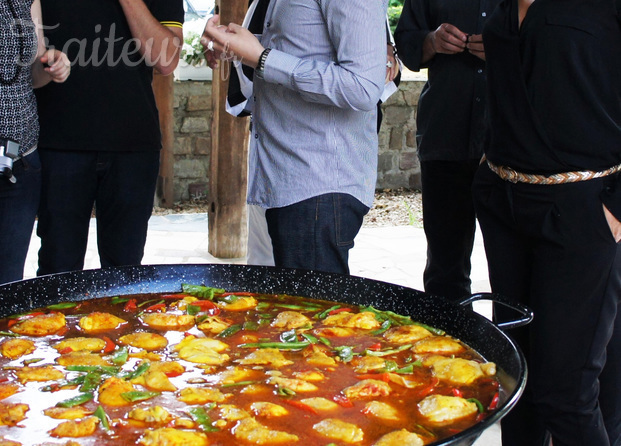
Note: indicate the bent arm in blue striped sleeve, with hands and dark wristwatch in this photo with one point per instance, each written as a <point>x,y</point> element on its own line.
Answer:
<point>355,80</point>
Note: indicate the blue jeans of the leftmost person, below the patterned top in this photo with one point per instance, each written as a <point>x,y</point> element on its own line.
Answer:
<point>18,209</point>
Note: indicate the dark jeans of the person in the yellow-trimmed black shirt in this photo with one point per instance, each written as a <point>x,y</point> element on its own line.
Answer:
<point>121,187</point>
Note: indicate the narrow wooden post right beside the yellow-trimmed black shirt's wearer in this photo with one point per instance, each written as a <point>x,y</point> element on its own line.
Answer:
<point>164,96</point>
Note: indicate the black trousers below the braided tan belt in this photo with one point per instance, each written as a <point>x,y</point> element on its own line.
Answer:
<point>551,248</point>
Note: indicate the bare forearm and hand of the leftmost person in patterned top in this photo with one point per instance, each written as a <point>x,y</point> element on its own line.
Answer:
<point>58,66</point>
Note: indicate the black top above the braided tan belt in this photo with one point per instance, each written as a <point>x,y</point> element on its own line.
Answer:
<point>555,87</point>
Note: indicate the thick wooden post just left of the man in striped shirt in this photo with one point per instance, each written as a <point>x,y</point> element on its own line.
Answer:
<point>228,177</point>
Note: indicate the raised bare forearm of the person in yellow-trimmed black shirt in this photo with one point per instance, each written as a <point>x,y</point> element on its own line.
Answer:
<point>159,45</point>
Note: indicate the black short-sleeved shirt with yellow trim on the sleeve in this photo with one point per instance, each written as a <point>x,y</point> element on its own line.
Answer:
<point>107,102</point>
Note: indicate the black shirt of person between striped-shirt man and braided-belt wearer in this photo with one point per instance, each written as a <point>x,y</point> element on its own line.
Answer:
<point>450,118</point>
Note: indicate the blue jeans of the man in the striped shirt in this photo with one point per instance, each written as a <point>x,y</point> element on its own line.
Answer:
<point>316,234</point>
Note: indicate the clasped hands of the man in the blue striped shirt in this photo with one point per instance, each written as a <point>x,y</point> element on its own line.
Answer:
<point>232,42</point>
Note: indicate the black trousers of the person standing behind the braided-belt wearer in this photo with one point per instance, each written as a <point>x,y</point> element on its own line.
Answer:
<point>449,222</point>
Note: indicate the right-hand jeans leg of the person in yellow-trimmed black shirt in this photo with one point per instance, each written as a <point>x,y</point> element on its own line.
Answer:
<point>124,204</point>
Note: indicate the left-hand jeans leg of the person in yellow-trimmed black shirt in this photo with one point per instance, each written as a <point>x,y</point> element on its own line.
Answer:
<point>67,197</point>
